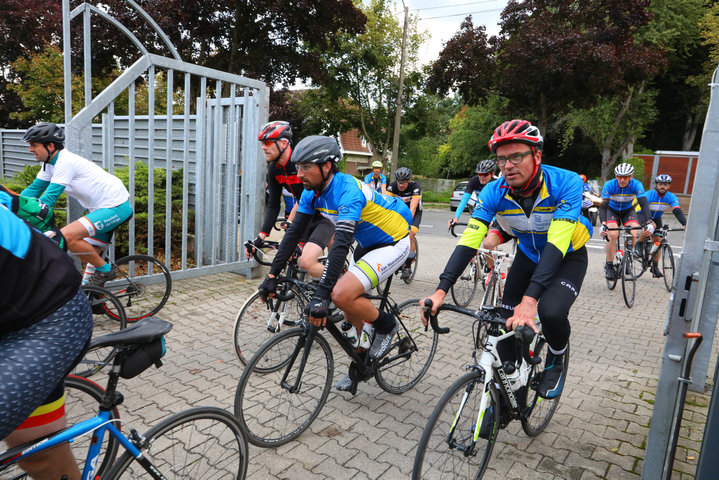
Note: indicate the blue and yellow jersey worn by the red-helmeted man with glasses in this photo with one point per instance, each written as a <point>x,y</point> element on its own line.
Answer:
<point>555,217</point>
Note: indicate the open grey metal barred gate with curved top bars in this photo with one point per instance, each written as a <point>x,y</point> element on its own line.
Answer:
<point>205,124</point>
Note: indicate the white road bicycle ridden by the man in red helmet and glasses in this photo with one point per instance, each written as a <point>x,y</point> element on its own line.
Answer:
<point>460,434</point>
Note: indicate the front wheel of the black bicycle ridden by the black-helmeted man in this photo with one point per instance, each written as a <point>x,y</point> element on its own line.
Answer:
<point>269,413</point>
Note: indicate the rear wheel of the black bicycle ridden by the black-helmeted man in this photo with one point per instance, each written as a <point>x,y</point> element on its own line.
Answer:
<point>411,352</point>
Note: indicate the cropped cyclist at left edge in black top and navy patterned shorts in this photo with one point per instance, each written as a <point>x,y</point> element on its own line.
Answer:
<point>45,323</point>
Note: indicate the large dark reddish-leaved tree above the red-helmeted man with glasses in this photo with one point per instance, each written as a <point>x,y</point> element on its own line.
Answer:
<point>556,53</point>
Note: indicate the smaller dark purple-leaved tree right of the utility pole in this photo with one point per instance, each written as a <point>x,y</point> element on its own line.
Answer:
<point>465,65</point>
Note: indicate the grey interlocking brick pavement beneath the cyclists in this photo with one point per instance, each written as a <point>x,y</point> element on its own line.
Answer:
<point>599,432</point>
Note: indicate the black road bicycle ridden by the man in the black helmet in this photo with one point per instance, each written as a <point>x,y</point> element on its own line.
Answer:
<point>286,383</point>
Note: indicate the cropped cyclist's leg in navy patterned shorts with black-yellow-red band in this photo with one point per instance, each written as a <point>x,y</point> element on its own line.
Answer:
<point>33,362</point>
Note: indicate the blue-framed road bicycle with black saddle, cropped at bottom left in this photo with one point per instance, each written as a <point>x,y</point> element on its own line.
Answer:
<point>202,442</point>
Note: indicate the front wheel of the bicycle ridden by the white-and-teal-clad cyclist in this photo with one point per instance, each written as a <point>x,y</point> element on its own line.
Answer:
<point>143,285</point>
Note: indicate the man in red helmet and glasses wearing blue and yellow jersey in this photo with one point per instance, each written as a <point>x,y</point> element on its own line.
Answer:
<point>541,206</point>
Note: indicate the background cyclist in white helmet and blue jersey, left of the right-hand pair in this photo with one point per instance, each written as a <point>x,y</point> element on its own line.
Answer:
<point>619,197</point>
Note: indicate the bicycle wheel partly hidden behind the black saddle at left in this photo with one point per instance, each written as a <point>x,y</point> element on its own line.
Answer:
<point>101,302</point>
